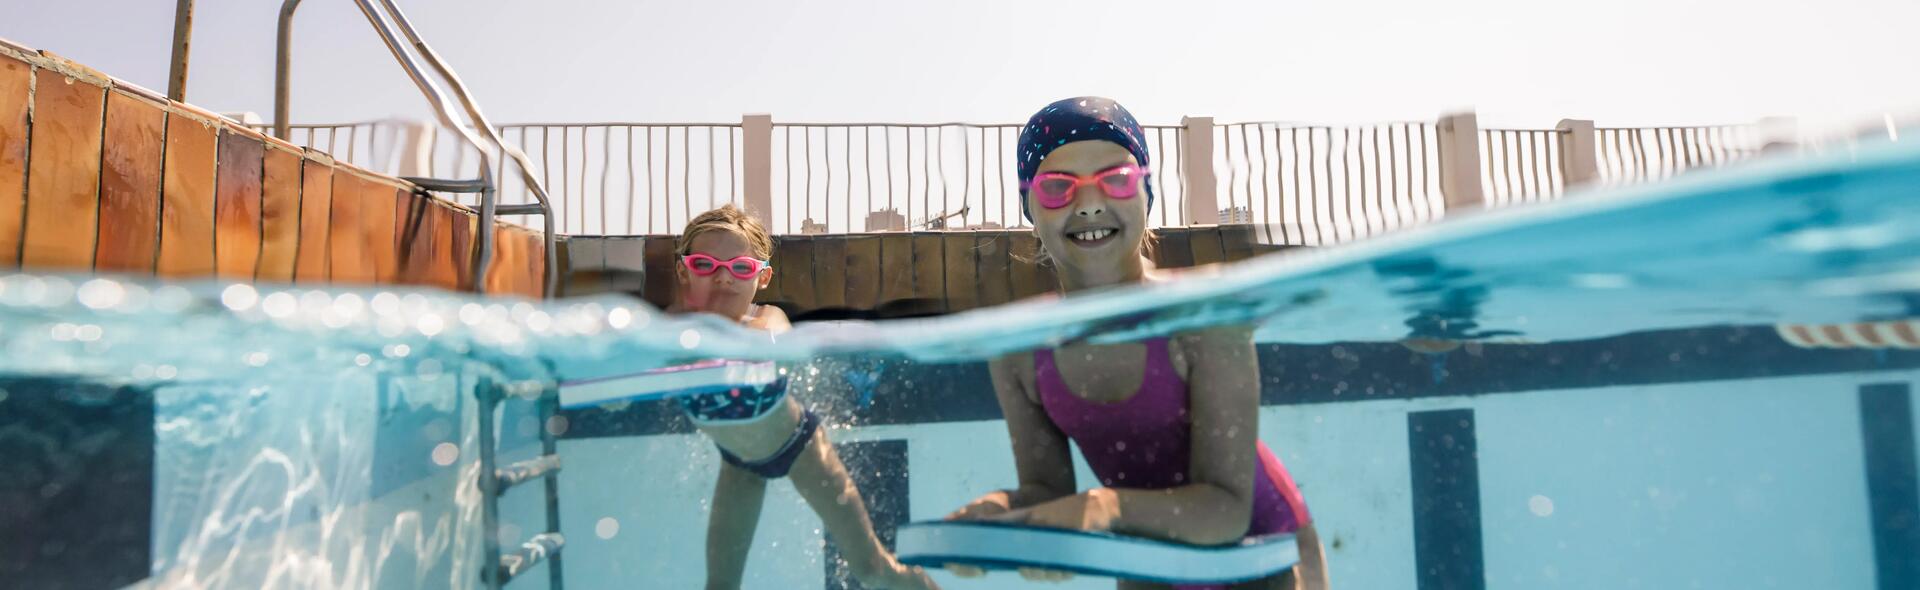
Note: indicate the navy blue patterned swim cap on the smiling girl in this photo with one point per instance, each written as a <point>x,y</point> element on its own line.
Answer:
<point>1076,120</point>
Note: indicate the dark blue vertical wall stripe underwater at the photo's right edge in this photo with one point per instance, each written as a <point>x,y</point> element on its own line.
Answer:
<point>1892,483</point>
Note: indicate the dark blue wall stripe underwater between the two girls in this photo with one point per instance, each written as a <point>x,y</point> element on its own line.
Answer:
<point>880,472</point>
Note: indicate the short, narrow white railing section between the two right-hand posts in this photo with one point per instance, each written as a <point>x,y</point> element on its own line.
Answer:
<point>1522,166</point>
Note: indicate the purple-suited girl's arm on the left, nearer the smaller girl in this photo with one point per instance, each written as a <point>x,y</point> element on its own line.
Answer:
<point>1042,453</point>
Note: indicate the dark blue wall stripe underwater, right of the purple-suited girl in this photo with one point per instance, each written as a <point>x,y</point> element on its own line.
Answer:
<point>1447,501</point>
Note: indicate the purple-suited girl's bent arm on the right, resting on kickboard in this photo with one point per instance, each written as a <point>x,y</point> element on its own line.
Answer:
<point>1224,383</point>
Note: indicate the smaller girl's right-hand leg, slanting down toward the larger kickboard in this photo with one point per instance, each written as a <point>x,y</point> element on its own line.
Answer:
<point>823,481</point>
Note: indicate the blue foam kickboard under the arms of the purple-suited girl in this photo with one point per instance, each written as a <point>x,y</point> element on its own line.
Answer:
<point>1097,554</point>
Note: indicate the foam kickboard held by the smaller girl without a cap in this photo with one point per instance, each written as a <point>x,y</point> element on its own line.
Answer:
<point>663,383</point>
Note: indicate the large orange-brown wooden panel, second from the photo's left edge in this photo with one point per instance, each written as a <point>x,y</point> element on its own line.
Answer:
<point>64,172</point>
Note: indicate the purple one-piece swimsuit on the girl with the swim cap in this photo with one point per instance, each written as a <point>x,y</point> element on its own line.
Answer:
<point>1145,441</point>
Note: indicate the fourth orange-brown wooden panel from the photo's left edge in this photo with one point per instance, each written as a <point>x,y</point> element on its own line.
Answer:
<point>187,199</point>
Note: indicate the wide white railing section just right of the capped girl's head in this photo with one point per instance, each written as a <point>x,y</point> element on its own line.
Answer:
<point>1320,185</point>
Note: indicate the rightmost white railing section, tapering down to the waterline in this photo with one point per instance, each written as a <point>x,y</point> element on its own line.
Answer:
<point>1637,155</point>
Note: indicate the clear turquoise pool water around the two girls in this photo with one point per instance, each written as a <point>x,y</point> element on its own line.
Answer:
<point>1616,408</point>
